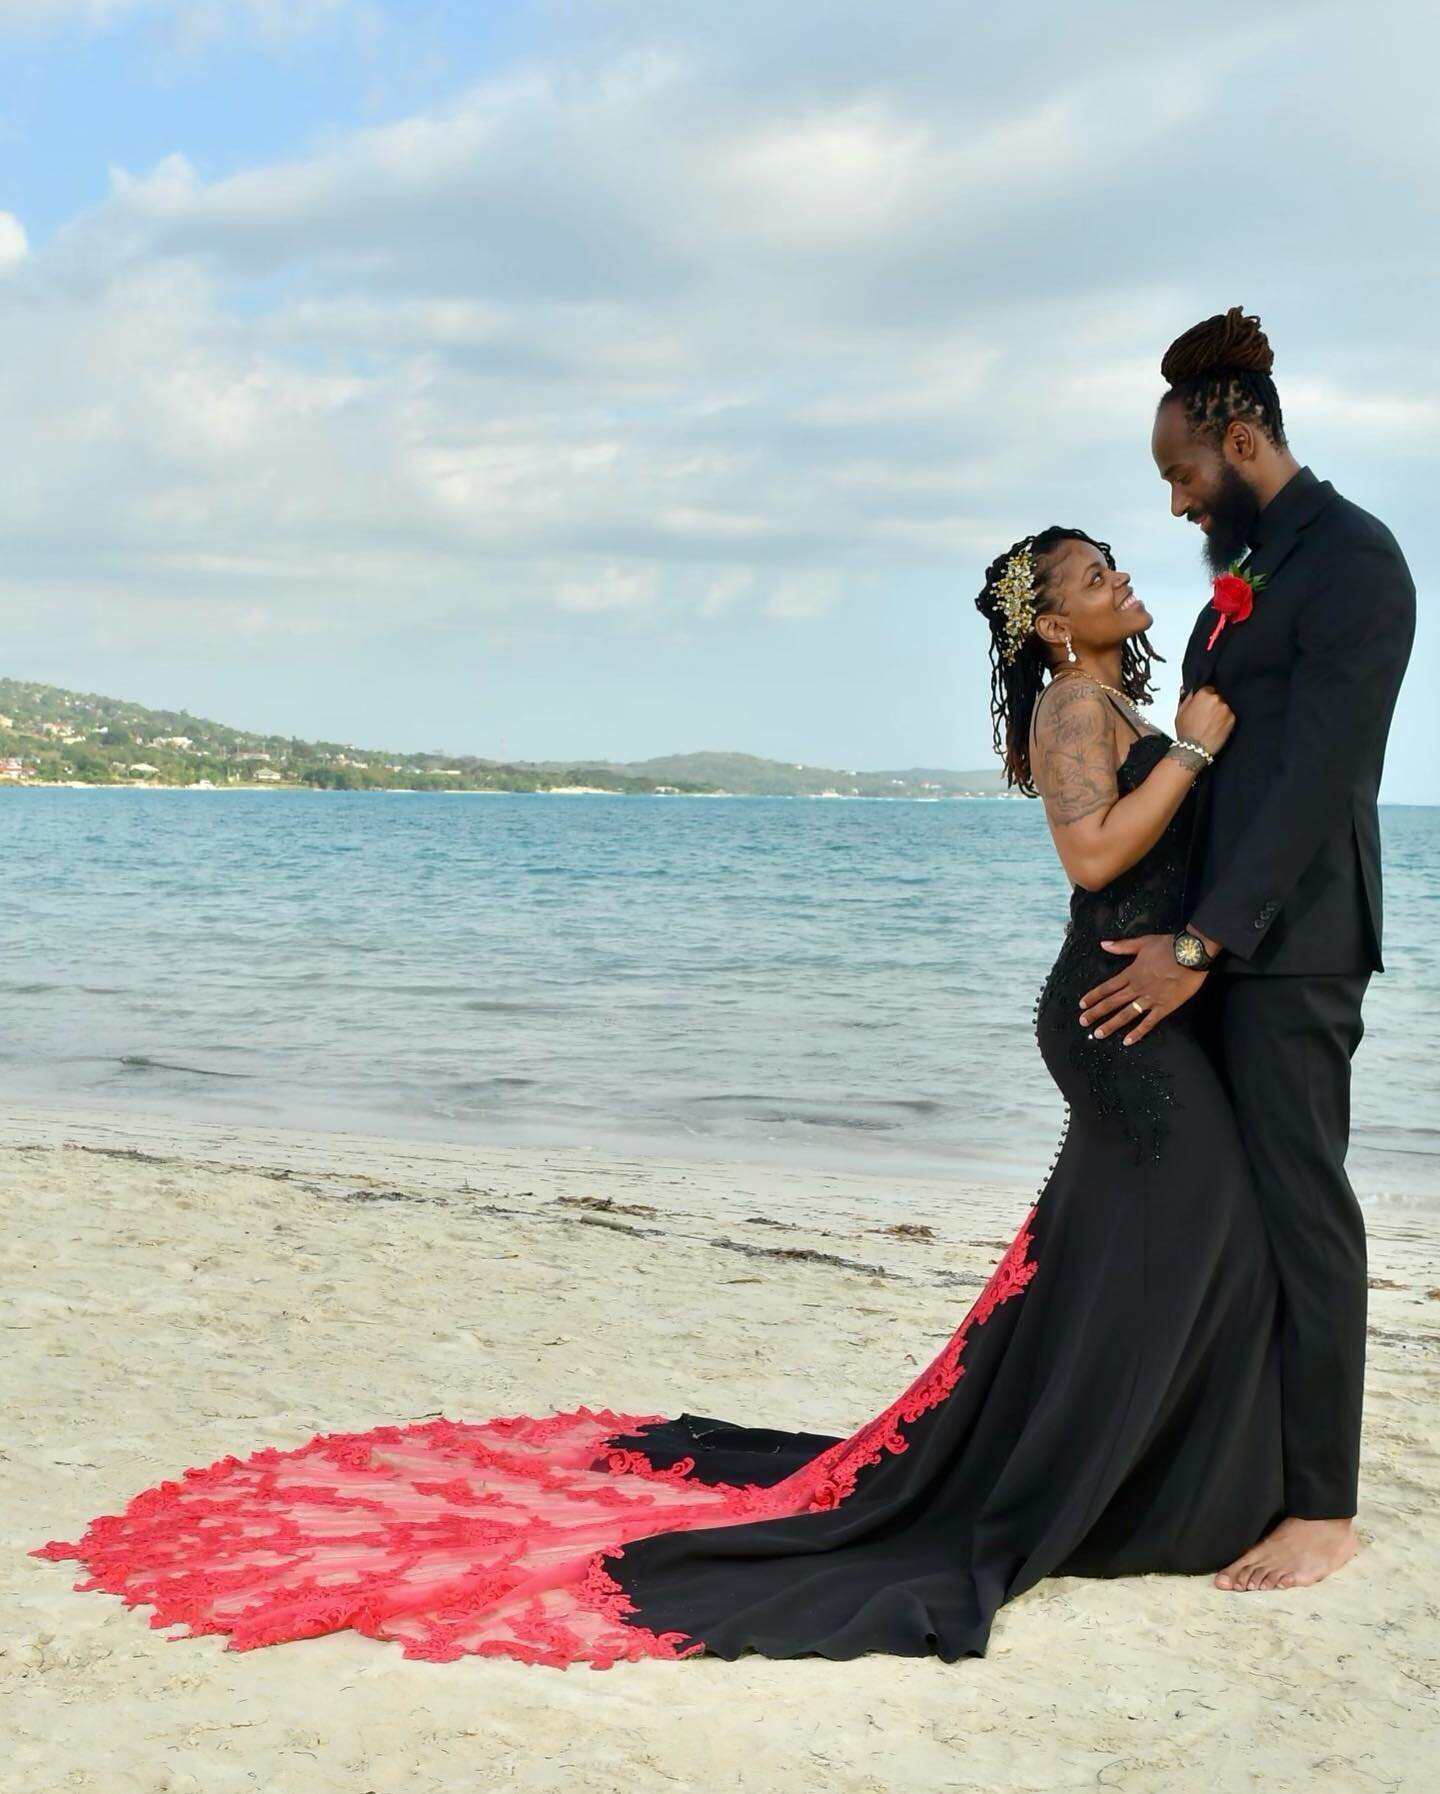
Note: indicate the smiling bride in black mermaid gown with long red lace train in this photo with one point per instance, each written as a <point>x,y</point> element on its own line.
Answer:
<point>1107,1407</point>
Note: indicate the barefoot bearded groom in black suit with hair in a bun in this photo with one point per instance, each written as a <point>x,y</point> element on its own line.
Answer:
<point>1308,647</point>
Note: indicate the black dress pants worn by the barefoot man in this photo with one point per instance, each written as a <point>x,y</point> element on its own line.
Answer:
<point>1287,1045</point>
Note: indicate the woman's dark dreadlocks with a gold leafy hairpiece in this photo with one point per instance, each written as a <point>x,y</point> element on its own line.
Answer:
<point>1014,595</point>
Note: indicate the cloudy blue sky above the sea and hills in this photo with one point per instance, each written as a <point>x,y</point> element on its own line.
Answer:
<point>562,381</point>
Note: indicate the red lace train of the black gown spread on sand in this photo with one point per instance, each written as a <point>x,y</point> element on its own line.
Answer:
<point>456,1538</point>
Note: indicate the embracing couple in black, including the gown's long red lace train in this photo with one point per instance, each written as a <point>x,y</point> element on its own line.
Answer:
<point>1165,1372</point>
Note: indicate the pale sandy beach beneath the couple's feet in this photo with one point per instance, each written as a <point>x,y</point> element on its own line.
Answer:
<point>177,1293</point>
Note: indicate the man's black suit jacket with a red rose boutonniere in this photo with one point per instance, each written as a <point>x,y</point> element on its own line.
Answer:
<point>1287,862</point>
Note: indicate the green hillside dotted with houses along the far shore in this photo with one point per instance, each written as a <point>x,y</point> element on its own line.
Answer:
<point>53,736</point>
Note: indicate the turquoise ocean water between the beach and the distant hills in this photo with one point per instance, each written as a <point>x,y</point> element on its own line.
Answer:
<point>846,984</point>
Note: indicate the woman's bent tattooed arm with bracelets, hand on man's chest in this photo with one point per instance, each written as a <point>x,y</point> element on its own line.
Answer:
<point>1097,832</point>
